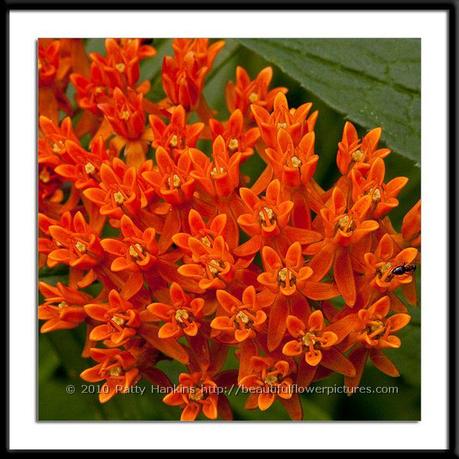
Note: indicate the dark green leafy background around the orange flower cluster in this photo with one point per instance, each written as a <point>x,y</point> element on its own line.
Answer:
<point>382,77</point>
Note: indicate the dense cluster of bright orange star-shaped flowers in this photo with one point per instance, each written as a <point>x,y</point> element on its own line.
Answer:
<point>173,253</point>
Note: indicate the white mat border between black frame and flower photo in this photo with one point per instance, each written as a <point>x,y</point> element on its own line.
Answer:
<point>26,433</point>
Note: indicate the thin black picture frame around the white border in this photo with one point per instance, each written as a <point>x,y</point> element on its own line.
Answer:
<point>450,6</point>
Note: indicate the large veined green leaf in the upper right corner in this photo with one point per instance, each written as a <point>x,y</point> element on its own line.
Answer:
<point>373,82</point>
